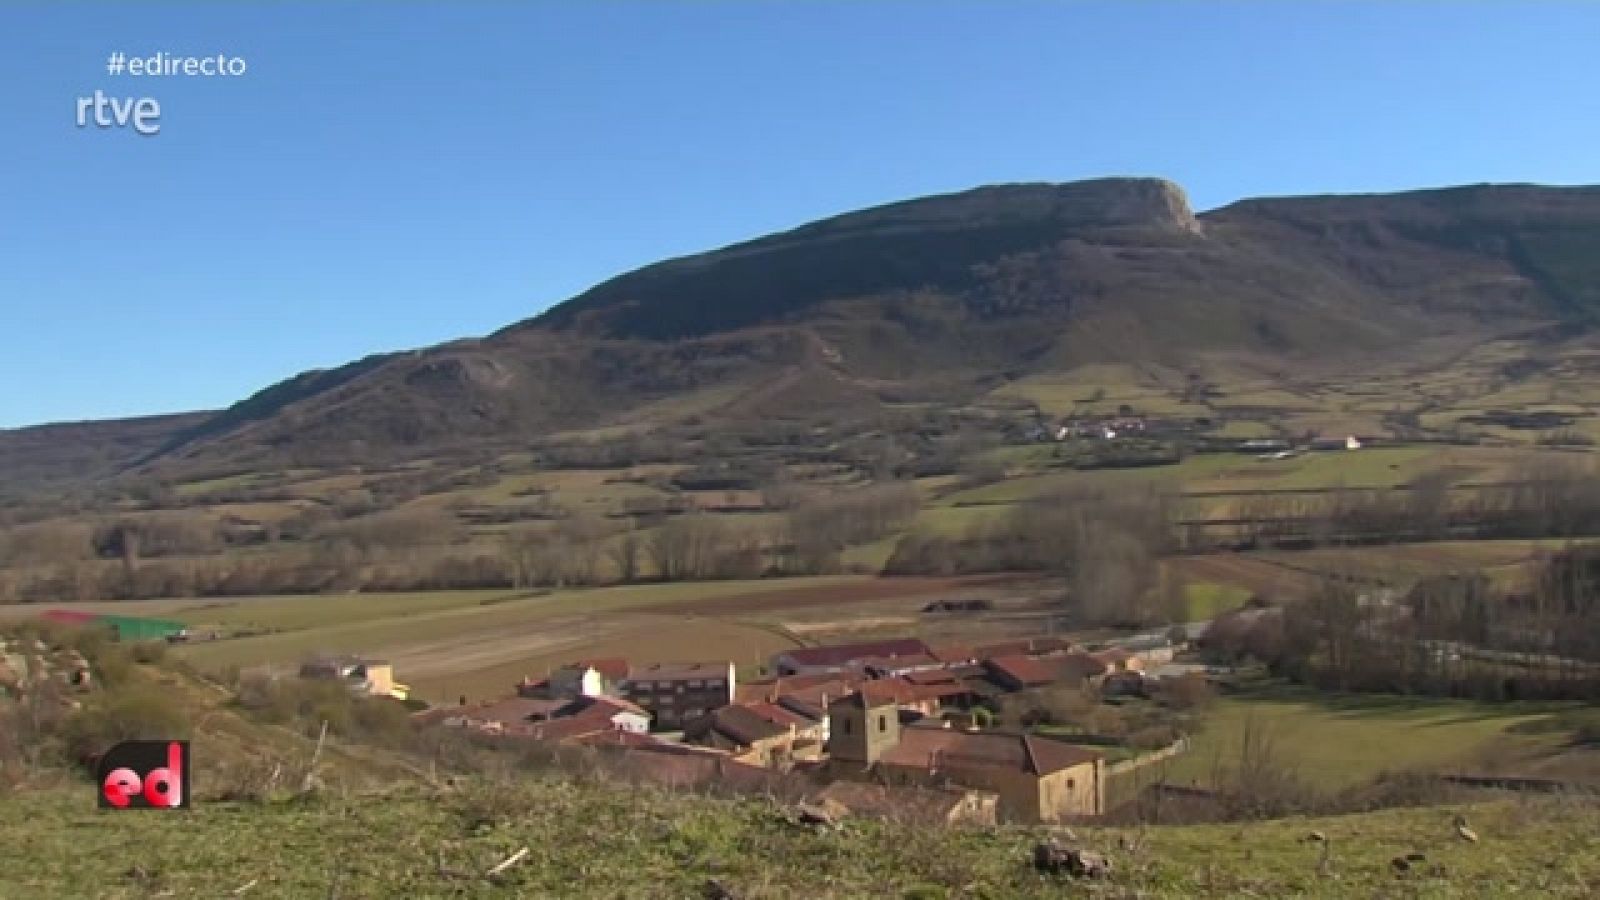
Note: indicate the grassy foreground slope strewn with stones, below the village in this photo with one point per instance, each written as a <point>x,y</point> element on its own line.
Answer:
<point>607,842</point>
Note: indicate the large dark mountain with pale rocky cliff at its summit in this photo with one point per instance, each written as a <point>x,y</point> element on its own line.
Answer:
<point>948,297</point>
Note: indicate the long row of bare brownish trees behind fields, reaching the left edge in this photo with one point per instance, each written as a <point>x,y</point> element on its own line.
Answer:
<point>430,548</point>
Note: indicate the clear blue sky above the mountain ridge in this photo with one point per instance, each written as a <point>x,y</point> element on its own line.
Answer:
<point>398,175</point>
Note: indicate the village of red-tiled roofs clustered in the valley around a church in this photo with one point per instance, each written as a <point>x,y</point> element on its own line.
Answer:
<point>886,728</point>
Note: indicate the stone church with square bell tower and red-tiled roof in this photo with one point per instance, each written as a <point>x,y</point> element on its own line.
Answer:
<point>1036,779</point>
